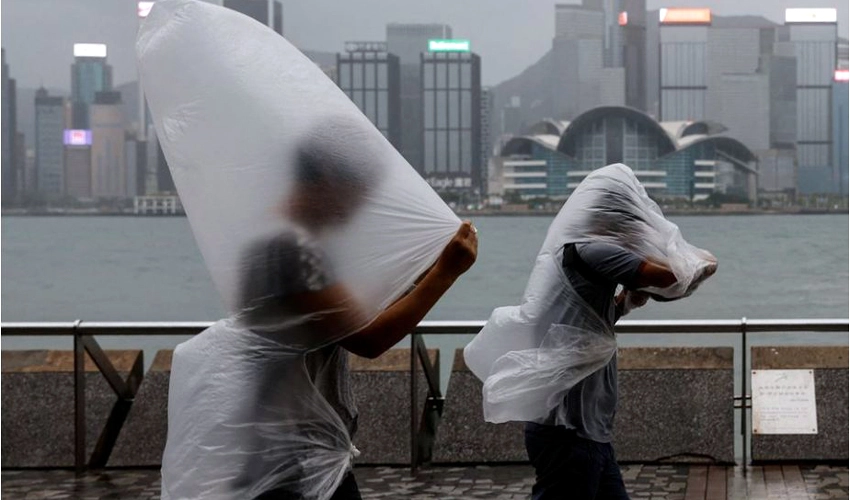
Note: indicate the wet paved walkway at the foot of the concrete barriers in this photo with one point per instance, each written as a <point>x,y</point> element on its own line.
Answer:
<point>651,482</point>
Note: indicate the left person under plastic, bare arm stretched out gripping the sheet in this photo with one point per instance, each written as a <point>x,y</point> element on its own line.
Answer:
<point>292,412</point>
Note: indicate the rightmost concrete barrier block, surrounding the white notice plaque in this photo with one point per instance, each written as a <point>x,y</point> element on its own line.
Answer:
<point>831,398</point>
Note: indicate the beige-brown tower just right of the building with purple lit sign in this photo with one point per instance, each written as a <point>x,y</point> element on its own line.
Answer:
<point>109,175</point>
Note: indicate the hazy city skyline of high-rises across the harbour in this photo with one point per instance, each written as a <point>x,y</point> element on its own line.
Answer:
<point>710,67</point>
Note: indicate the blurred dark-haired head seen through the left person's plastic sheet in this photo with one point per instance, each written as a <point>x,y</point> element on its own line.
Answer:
<point>336,168</point>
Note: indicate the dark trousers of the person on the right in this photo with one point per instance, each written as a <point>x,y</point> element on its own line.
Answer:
<point>568,466</point>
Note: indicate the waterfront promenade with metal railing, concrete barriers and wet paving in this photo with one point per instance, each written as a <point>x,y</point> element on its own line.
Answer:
<point>692,395</point>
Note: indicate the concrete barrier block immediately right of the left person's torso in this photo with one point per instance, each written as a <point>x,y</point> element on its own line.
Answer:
<point>382,393</point>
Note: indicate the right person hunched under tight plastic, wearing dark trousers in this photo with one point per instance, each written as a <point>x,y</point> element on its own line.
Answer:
<point>605,247</point>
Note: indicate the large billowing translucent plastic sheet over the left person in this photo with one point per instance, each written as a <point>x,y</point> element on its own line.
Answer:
<point>310,224</point>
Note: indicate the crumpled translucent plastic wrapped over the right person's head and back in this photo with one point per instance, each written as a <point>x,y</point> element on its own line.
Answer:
<point>529,356</point>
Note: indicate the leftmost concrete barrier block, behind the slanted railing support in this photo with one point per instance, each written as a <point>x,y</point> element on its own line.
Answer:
<point>38,405</point>
